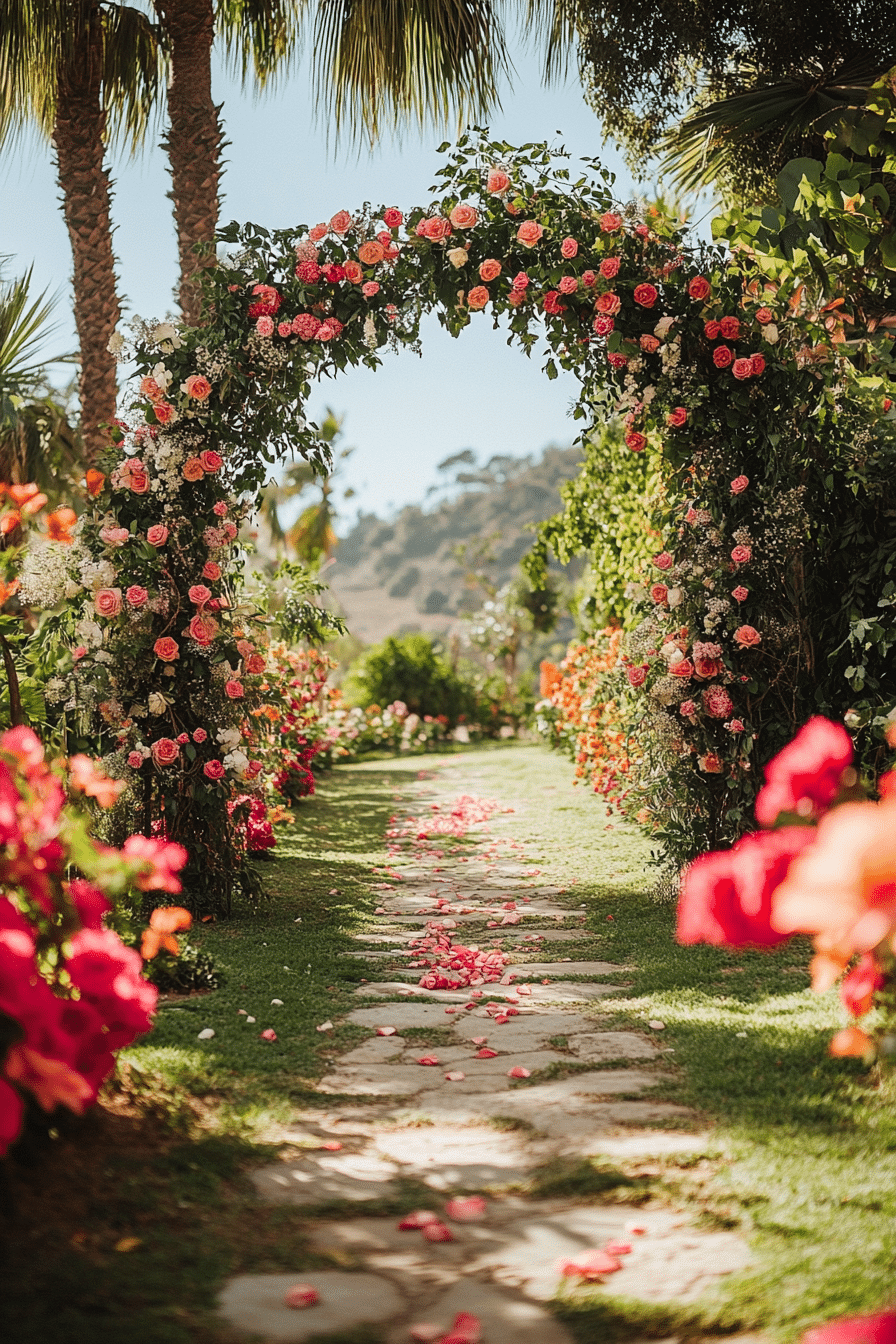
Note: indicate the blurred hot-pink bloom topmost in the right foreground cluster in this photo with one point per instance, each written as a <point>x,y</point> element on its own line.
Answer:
<point>805,778</point>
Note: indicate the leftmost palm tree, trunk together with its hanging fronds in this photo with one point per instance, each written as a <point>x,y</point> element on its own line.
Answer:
<point>75,69</point>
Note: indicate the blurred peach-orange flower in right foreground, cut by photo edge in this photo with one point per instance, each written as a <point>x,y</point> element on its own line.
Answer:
<point>843,889</point>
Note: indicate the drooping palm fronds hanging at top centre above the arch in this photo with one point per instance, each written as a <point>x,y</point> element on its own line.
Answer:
<point>381,61</point>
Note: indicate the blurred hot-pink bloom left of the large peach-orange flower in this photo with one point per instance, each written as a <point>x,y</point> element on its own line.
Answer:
<point>726,897</point>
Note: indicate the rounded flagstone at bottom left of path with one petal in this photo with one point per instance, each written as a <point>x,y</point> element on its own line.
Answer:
<point>255,1303</point>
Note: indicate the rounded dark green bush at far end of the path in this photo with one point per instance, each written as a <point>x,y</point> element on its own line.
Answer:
<point>410,669</point>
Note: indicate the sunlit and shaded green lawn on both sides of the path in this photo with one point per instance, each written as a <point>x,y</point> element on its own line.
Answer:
<point>803,1154</point>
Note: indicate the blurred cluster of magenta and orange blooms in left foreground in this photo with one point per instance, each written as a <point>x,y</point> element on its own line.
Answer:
<point>72,994</point>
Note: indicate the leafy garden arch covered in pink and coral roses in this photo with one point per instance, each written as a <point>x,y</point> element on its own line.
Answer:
<point>735,388</point>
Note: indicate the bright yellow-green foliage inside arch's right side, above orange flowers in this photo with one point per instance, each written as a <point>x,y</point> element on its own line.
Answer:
<point>605,515</point>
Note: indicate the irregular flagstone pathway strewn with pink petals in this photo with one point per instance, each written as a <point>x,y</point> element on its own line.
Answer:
<point>469,1084</point>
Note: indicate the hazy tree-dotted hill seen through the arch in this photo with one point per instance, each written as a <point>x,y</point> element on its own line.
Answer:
<point>398,576</point>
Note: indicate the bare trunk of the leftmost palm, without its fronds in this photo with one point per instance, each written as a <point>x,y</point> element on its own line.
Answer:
<point>80,143</point>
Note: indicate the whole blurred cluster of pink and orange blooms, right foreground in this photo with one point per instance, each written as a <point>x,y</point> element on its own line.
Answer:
<point>824,866</point>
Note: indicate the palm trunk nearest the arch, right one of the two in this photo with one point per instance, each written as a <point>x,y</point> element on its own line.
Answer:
<point>194,140</point>
